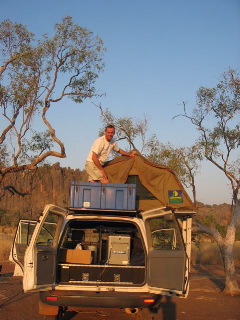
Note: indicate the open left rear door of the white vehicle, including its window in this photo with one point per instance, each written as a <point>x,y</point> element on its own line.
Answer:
<point>41,254</point>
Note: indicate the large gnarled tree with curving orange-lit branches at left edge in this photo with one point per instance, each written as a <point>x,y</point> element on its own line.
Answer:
<point>34,76</point>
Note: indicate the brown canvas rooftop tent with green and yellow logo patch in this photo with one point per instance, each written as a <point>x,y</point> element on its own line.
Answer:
<point>158,180</point>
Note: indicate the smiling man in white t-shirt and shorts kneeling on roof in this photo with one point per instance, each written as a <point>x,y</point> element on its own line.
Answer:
<point>98,154</point>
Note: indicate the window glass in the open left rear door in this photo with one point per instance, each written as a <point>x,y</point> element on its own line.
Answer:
<point>47,232</point>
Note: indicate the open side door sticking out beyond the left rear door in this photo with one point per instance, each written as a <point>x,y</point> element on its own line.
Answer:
<point>21,241</point>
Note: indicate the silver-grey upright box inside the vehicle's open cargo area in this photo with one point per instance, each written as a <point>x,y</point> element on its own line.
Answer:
<point>119,250</point>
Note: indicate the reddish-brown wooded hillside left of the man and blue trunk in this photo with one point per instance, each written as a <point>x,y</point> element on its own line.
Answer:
<point>49,184</point>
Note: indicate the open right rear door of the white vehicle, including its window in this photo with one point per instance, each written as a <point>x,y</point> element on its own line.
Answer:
<point>167,259</point>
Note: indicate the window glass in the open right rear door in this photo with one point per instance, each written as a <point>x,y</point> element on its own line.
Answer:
<point>165,234</point>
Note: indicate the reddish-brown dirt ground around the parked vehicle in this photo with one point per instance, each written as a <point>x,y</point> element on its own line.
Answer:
<point>205,300</point>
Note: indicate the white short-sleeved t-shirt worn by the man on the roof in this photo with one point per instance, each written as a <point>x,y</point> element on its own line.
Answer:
<point>102,148</point>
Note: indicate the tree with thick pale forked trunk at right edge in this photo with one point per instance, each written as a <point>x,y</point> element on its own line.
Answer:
<point>216,118</point>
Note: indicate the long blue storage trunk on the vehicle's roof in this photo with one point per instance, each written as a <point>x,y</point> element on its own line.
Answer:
<point>108,196</point>
